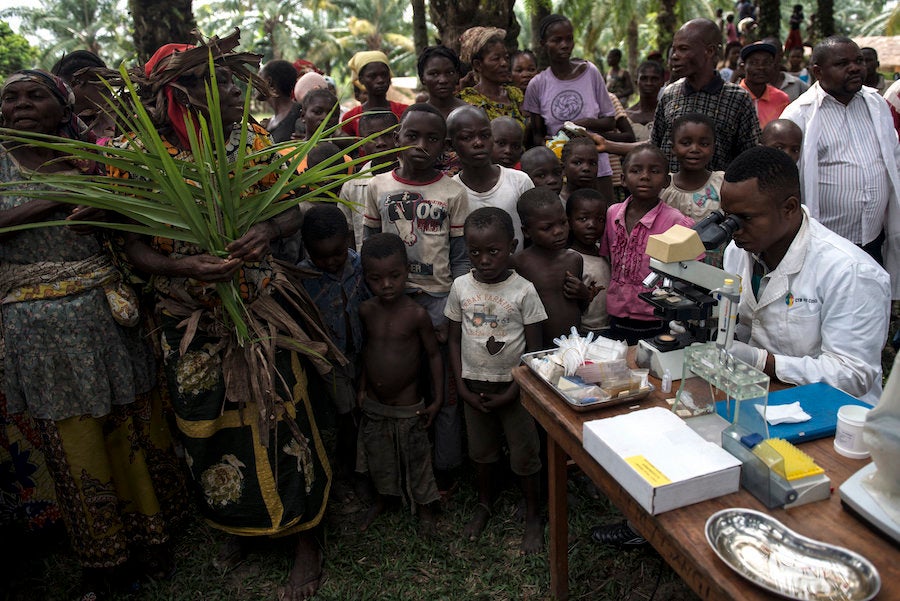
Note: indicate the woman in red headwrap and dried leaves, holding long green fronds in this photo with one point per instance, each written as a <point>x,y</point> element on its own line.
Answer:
<point>246,417</point>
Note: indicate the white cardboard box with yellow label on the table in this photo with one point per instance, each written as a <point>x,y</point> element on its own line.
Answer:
<point>660,460</point>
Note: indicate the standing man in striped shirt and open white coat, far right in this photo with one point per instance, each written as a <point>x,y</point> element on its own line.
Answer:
<point>849,162</point>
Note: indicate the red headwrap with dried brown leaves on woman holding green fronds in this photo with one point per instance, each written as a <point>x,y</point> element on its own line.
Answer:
<point>159,76</point>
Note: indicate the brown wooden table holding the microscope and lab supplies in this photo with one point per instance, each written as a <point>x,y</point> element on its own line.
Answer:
<point>678,535</point>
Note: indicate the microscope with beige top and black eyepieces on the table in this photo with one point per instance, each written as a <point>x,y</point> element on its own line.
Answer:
<point>702,298</point>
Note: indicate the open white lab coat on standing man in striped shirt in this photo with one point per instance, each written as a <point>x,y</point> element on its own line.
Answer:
<point>805,112</point>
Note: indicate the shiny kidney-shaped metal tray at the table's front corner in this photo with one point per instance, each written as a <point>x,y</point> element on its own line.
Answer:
<point>771,555</point>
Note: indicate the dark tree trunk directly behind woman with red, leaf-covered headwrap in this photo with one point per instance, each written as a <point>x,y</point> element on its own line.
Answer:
<point>159,22</point>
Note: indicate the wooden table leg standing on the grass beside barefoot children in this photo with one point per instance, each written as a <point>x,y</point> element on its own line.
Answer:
<point>559,522</point>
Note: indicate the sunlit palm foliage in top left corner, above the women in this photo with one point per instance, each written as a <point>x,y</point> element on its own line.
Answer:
<point>68,25</point>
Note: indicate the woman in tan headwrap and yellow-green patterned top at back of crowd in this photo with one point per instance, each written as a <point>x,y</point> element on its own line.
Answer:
<point>485,50</point>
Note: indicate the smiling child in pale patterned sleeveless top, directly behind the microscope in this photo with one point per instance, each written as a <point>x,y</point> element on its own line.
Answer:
<point>694,189</point>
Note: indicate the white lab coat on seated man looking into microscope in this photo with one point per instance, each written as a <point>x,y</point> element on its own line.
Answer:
<point>823,314</point>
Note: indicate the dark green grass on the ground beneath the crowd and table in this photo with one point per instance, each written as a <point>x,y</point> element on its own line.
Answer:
<point>388,562</point>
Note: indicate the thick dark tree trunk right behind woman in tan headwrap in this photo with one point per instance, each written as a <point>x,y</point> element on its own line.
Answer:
<point>453,17</point>
